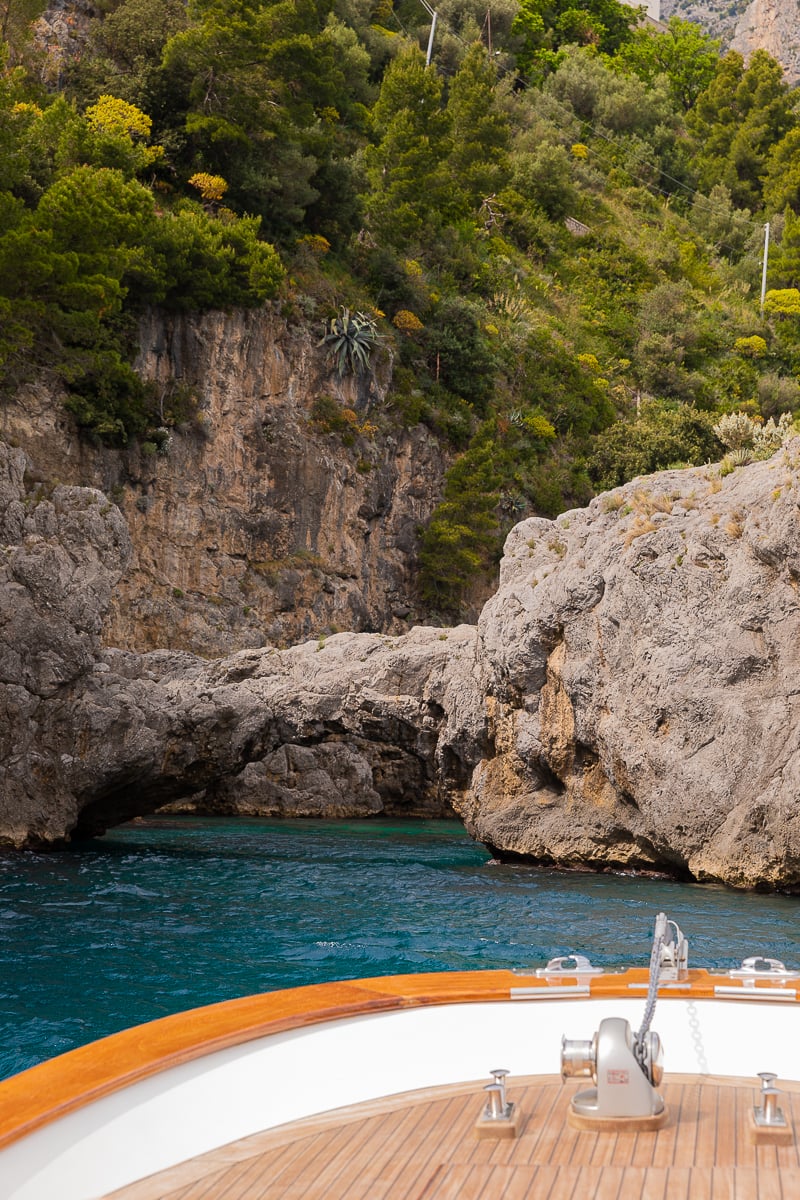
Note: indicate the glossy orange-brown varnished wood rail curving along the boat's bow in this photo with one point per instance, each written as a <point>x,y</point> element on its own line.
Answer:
<point>53,1089</point>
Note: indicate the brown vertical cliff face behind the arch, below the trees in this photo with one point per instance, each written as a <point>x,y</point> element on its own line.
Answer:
<point>258,527</point>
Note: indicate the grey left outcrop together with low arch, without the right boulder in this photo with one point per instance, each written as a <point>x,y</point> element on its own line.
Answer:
<point>92,737</point>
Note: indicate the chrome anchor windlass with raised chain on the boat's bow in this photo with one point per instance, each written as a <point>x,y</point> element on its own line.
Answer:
<point>628,1069</point>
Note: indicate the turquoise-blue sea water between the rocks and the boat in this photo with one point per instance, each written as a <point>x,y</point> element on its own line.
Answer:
<point>171,914</point>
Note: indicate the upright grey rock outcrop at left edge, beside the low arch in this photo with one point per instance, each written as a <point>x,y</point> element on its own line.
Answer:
<point>61,556</point>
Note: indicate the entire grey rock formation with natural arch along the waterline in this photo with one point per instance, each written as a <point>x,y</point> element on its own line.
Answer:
<point>629,698</point>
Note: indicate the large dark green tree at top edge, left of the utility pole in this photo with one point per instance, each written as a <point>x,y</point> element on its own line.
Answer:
<point>266,92</point>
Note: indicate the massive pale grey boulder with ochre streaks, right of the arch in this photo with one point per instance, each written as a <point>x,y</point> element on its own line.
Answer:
<point>641,663</point>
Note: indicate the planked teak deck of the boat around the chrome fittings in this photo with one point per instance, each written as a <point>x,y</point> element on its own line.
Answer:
<point>422,1147</point>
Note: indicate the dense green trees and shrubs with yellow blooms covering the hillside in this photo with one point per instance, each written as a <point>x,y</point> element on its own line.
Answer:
<point>557,227</point>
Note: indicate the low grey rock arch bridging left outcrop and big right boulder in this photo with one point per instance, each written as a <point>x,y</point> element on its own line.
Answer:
<point>350,729</point>
